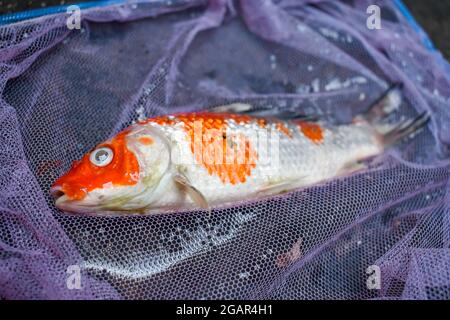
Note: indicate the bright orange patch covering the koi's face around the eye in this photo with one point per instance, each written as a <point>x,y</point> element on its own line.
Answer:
<point>85,176</point>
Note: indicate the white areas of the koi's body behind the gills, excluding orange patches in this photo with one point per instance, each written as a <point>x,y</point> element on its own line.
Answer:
<point>297,161</point>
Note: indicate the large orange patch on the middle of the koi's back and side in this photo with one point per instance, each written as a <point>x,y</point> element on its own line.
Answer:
<point>231,158</point>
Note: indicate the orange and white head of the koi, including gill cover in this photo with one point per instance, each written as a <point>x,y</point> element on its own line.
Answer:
<point>119,174</point>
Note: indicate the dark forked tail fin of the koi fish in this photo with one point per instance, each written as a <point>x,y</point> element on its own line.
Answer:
<point>384,106</point>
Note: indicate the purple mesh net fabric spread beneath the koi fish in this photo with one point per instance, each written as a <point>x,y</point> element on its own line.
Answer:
<point>63,91</point>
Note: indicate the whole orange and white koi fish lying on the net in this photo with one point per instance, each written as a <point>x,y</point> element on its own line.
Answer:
<point>227,154</point>
